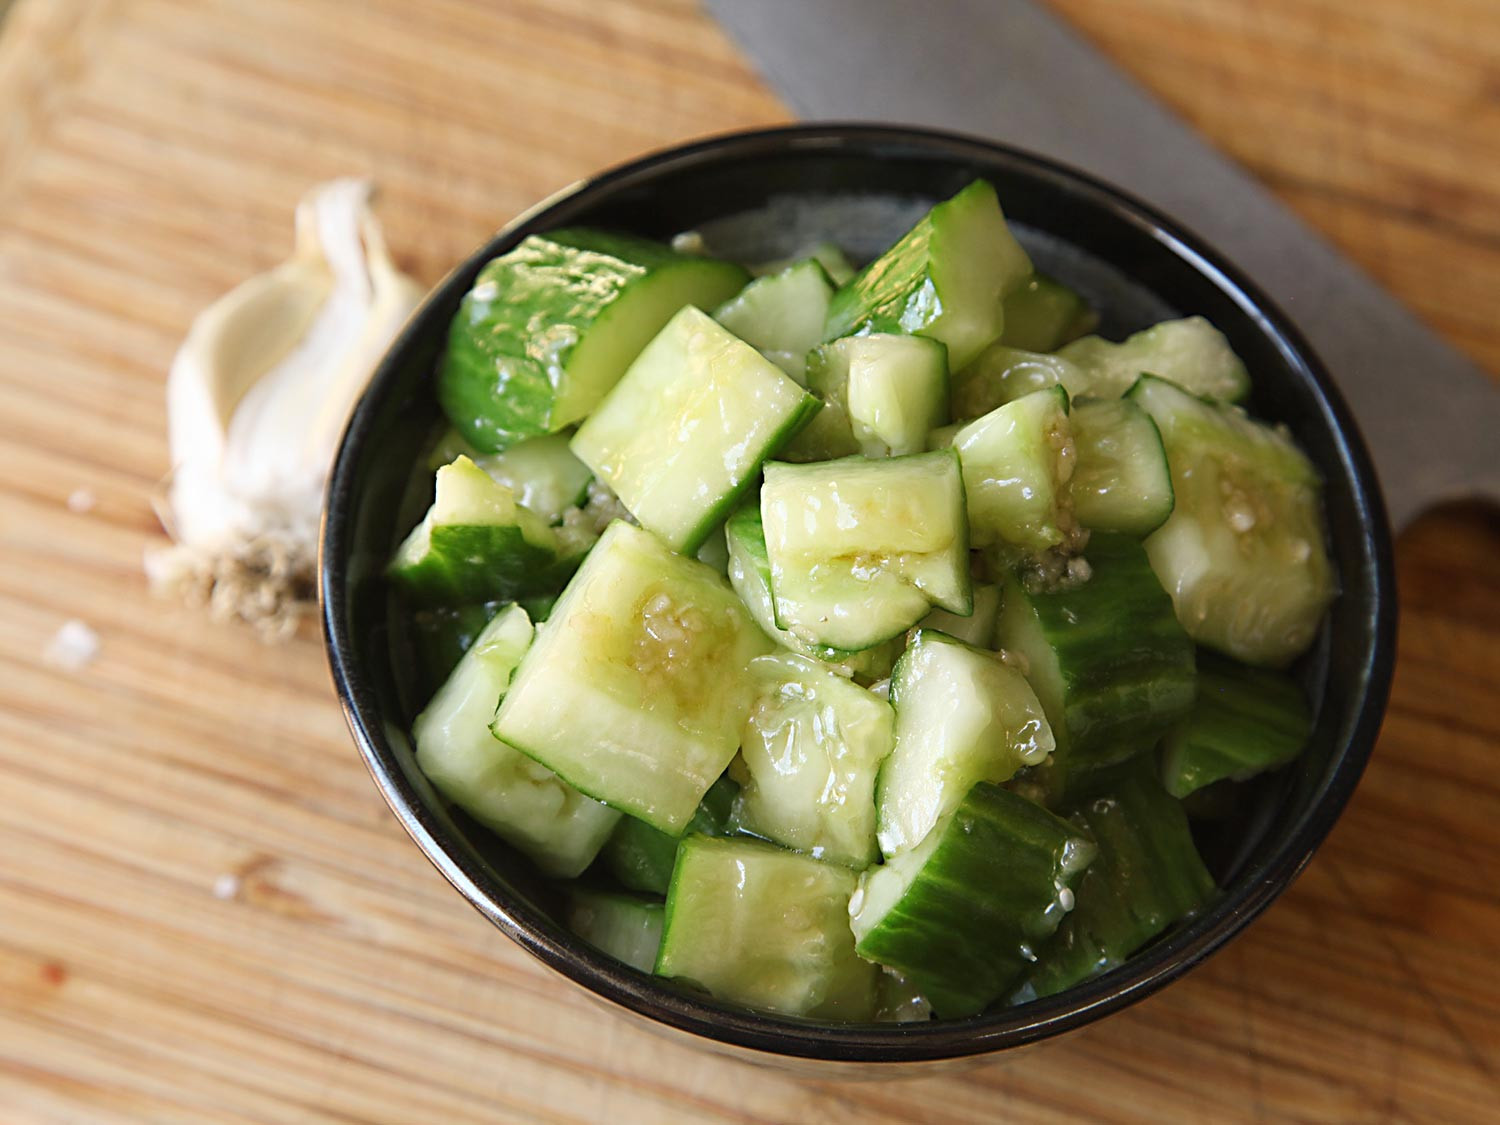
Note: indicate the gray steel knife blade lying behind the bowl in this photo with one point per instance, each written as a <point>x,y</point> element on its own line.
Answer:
<point>1013,71</point>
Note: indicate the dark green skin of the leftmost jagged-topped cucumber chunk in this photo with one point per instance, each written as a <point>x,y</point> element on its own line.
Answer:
<point>482,563</point>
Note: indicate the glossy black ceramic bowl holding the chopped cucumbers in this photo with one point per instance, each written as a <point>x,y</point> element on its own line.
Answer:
<point>758,196</point>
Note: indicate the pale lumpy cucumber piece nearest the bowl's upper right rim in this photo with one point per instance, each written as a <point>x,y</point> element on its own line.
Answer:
<point>1192,353</point>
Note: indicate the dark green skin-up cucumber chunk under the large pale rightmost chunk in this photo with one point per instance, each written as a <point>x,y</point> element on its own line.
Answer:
<point>1244,722</point>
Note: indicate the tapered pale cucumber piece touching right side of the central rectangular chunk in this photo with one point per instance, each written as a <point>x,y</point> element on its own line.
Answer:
<point>1018,463</point>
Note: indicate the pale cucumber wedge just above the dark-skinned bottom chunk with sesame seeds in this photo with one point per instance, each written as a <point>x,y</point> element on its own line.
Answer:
<point>962,716</point>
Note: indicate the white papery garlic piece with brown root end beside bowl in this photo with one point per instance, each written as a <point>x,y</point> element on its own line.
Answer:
<point>257,401</point>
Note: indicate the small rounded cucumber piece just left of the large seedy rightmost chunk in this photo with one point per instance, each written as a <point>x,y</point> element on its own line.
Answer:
<point>1121,481</point>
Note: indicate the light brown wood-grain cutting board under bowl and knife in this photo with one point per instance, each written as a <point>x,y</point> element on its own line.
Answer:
<point>206,911</point>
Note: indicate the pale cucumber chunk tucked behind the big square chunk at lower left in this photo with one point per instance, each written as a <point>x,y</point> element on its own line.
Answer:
<point>523,802</point>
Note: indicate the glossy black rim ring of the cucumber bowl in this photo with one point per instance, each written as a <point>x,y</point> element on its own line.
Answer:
<point>779,1036</point>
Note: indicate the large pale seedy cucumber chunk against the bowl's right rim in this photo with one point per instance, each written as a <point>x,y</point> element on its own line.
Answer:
<point>1243,553</point>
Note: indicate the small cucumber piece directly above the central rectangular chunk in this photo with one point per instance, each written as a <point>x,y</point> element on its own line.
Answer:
<point>881,397</point>
